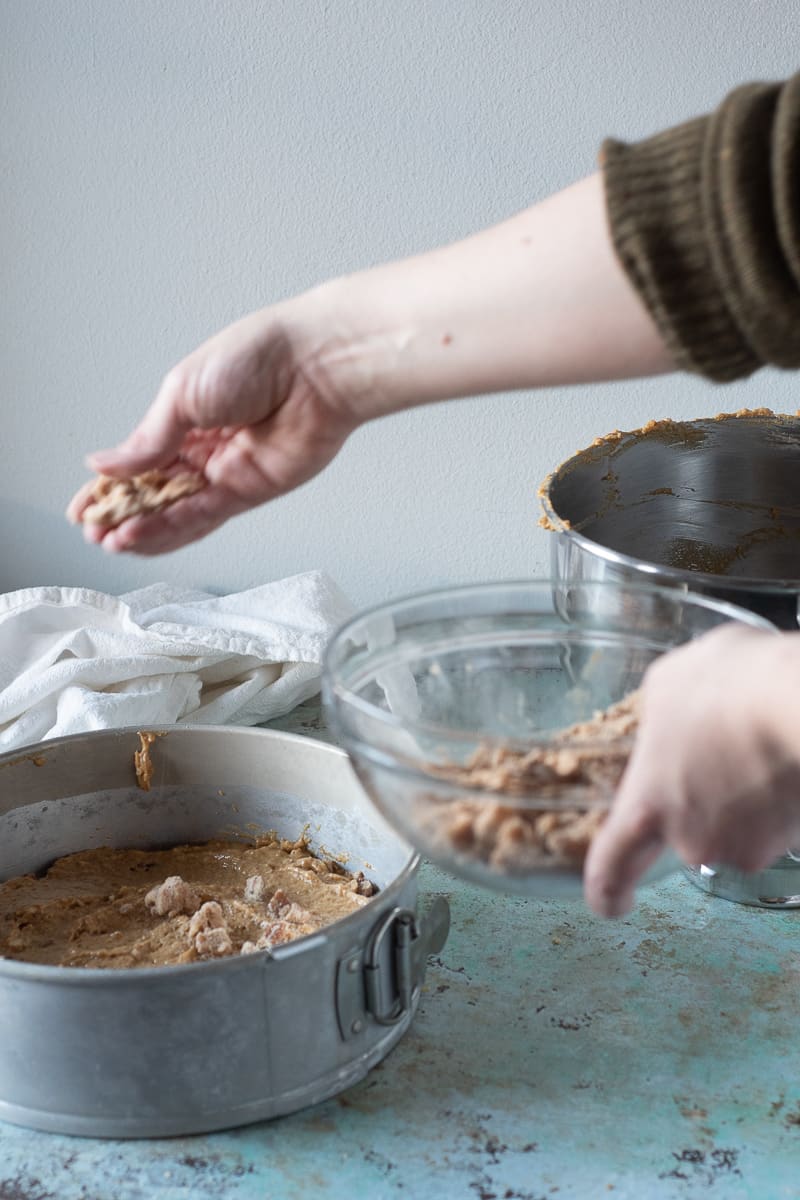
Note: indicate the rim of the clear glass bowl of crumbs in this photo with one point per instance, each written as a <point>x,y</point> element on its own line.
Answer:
<point>335,691</point>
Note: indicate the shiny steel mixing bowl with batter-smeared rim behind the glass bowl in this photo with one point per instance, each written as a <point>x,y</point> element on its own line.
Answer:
<point>709,505</point>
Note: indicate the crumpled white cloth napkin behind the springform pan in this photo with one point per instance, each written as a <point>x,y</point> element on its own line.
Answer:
<point>73,659</point>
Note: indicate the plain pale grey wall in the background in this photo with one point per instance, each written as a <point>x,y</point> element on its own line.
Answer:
<point>169,165</point>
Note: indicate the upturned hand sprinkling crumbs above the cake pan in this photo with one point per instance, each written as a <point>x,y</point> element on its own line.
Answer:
<point>255,410</point>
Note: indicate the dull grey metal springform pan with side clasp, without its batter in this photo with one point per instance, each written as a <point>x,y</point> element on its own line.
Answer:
<point>206,1046</point>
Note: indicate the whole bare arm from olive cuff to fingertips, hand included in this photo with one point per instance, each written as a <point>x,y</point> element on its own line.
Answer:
<point>266,404</point>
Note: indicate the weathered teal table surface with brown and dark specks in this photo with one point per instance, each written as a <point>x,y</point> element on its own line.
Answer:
<point>554,1055</point>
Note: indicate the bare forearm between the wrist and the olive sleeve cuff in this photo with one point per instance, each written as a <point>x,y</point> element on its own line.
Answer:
<point>536,302</point>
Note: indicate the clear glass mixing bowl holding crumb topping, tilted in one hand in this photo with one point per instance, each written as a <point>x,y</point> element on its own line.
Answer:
<point>418,688</point>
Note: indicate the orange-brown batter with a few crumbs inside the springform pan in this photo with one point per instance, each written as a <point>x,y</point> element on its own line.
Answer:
<point>135,908</point>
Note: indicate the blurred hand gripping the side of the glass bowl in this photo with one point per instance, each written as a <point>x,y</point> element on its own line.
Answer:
<point>715,771</point>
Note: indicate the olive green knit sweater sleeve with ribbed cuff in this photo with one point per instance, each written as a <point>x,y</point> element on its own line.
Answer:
<point>706,219</point>
